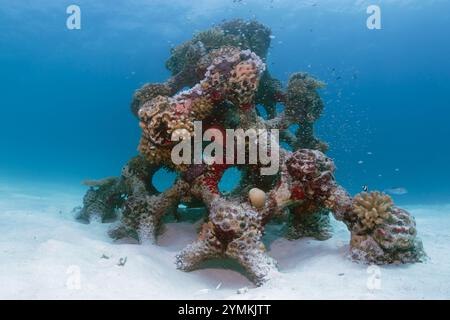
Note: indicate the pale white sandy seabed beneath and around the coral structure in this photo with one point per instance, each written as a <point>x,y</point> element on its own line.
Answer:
<point>46,254</point>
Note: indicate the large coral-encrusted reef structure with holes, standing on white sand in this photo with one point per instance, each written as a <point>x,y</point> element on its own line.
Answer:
<point>225,71</point>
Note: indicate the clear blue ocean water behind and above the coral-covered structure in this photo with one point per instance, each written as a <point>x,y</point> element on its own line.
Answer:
<point>65,94</point>
